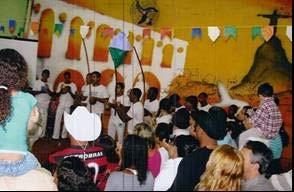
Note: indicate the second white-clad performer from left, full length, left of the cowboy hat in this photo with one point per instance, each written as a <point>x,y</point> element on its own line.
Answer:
<point>65,90</point>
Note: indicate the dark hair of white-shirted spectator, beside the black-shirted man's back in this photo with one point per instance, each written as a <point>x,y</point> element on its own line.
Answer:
<point>185,144</point>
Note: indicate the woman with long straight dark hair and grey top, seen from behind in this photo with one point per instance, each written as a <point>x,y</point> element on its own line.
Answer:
<point>133,175</point>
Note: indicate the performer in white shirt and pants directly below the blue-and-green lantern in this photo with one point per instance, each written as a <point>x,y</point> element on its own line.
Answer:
<point>116,125</point>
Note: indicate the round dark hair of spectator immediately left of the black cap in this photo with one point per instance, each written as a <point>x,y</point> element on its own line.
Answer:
<point>181,118</point>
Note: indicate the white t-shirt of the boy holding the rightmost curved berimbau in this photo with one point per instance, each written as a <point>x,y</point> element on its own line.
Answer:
<point>136,112</point>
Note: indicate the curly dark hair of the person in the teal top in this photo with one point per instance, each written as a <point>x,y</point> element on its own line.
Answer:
<point>13,75</point>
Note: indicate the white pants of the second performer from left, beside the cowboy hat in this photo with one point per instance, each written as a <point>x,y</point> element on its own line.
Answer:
<point>58,117</point>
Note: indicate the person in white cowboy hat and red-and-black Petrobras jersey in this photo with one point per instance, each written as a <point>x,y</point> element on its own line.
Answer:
<point>83,127</point>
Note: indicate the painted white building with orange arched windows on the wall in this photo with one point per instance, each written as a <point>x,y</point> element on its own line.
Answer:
<point>67,52</point>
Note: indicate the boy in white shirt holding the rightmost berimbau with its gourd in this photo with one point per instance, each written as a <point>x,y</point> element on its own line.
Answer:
<point>135,113</point>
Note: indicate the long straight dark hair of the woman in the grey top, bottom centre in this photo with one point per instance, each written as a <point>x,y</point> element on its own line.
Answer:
<point>135,153</point>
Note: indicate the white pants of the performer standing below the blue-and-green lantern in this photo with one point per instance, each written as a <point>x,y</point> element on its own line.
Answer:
<point>116,127</point>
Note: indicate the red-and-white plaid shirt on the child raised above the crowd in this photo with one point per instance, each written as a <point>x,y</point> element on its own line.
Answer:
<point>267,118</point>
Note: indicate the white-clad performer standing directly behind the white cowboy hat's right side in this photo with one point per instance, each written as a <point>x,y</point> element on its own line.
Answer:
<point>99,94</point>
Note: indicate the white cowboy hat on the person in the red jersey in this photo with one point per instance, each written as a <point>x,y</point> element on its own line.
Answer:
<point>82,125</point>
